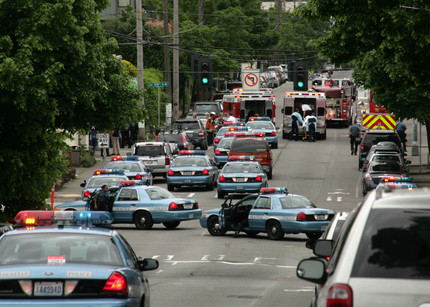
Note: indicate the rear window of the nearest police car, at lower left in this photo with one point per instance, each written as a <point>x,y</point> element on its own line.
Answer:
<point>59,249</point>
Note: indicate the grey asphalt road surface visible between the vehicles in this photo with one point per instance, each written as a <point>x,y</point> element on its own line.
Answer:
<point>197,269</point>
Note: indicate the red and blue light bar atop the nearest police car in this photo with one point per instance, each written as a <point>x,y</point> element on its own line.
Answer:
<point>42,217</point>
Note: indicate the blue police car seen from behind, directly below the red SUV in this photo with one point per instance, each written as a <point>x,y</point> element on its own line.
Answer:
<point>241,174</point>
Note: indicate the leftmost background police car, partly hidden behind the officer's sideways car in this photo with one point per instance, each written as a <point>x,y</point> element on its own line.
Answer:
<point>110,177</point>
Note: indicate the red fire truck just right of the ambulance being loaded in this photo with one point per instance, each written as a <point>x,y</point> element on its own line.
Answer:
<point>340,94</point>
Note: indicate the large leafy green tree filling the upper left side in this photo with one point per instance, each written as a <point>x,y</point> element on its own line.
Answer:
<point>59,76</point>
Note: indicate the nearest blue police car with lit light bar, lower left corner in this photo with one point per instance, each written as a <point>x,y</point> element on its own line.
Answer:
<point>80,265</point>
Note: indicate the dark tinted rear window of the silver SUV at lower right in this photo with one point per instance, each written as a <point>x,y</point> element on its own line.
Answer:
<point>395,244</point>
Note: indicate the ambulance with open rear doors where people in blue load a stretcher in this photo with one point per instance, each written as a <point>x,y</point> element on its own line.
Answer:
<point>317,102</point>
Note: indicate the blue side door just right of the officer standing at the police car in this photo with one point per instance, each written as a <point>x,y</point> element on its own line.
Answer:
<point>125,205</point>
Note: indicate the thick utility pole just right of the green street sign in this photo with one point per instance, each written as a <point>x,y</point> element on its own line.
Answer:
<point>175,60</point>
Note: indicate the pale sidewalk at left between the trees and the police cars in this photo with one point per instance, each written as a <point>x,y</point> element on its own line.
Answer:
<point>68,193</point>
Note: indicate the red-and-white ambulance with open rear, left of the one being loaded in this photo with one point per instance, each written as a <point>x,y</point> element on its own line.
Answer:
<point>244,104</point>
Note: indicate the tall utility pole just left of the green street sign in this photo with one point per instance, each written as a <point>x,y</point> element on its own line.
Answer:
<point>141,134</point>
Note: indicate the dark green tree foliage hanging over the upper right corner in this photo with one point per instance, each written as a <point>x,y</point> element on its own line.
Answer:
<point>389,45</point>
